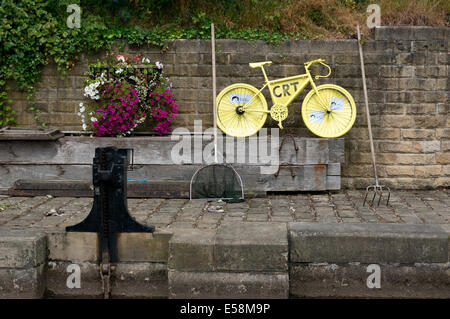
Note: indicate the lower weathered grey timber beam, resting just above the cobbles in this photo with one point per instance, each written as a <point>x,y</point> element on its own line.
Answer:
<point>308,177</point>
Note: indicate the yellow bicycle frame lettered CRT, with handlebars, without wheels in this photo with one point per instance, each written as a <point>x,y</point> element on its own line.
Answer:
<point>280,89</point>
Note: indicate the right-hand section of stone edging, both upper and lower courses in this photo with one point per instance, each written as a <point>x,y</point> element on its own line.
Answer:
<point>329,260</point>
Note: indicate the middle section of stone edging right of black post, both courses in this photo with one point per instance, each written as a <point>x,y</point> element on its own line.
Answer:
<point>239,260</point>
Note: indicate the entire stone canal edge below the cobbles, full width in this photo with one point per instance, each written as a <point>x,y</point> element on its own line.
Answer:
<point>238,260</point>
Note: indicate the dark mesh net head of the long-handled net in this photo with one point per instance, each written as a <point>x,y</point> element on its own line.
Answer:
<point>217,181</point>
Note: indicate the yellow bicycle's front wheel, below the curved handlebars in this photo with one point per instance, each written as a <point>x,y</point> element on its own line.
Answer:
<point>334,122</point>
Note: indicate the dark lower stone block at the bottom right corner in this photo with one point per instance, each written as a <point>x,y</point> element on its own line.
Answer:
<point>324,280</point>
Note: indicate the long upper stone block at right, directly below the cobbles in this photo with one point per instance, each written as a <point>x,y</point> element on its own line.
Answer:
<point>367,243</point>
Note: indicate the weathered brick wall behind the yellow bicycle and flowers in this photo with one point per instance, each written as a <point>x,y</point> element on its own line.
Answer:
<point>407,77</point>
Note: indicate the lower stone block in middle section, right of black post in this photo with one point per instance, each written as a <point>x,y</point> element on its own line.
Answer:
<point>207,285</point>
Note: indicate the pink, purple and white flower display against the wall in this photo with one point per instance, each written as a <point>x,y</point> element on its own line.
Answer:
<point>124,92</point>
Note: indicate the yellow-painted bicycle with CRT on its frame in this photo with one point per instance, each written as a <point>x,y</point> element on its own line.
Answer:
<point>328,110</point>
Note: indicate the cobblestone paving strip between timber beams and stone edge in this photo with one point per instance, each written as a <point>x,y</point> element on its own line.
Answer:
<point>410,207</point>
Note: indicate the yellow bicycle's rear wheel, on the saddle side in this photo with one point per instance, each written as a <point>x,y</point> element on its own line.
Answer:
<point>241,111</point>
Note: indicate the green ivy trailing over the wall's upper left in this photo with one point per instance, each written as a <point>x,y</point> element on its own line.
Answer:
<point>34,33</point>
